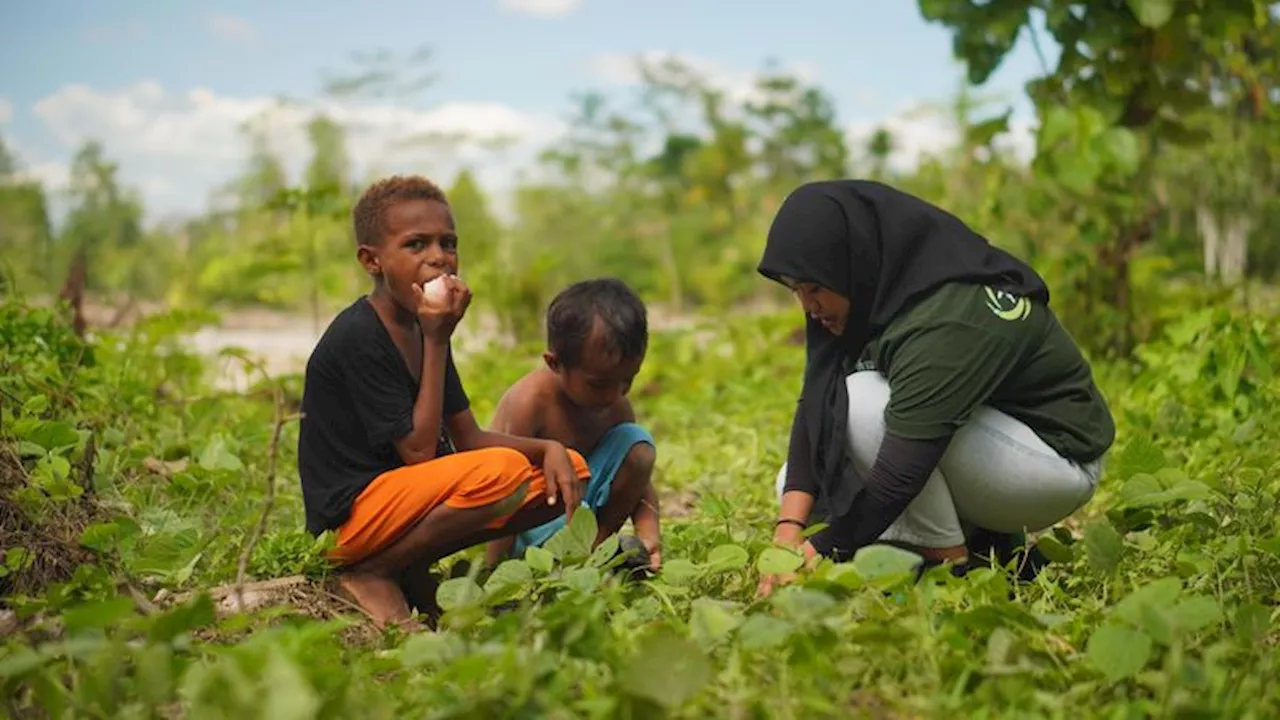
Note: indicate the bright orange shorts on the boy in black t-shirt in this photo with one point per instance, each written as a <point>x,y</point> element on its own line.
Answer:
<point>399,499</point>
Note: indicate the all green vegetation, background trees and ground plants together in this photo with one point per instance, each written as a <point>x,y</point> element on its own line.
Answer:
<point>132,484</point>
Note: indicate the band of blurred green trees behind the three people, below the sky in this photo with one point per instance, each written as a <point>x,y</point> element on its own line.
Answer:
<point>1156,148</point>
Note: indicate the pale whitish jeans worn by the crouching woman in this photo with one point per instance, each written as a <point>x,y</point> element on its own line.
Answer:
<point>996,475</point>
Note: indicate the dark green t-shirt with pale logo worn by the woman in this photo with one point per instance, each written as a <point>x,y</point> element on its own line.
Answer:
<point>967,345</point>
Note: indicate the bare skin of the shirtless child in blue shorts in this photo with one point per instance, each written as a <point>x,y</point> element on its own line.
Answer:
<point>577,407</point>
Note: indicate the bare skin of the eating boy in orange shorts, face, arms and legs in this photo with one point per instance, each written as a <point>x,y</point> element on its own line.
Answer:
<point>419,244</point>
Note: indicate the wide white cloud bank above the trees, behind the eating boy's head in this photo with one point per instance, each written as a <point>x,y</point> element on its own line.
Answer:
<point>176,148</point>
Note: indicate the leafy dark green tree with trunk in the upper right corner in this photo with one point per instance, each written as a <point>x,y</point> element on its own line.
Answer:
<point>1124,83</point>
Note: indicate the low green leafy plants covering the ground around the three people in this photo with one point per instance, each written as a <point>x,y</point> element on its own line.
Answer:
<point>1163,600</point>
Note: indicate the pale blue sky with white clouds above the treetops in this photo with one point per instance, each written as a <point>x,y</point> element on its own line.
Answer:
<point>163,85</point>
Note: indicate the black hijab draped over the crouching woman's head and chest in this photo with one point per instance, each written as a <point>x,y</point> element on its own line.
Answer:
<point>884,250</point>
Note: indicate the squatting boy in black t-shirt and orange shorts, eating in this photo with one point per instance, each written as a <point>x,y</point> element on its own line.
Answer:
<point>390,455</point>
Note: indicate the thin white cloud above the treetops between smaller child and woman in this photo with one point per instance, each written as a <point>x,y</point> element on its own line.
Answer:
<point>737,84</point>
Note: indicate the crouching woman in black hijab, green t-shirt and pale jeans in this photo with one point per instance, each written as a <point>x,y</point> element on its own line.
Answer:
<point>940,391</point>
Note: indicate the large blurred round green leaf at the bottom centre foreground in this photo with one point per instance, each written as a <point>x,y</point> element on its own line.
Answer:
<point>666,669</point>
